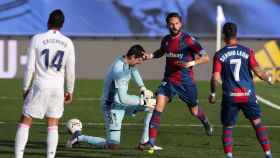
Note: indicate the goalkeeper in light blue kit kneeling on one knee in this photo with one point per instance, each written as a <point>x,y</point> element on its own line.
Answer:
<point>116,102</point>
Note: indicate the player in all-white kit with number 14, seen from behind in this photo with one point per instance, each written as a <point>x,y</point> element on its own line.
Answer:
<point>51,60</point>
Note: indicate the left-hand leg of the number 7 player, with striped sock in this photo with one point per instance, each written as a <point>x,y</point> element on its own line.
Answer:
<point>229,114</point>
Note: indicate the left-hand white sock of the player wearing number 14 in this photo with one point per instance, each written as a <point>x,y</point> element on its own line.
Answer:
<point>21,139</point>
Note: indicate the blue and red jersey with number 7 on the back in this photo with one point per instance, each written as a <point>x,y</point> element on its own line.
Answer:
<point>234,63</point>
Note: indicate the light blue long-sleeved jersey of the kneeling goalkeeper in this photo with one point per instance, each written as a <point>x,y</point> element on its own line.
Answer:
<point>116,84</point>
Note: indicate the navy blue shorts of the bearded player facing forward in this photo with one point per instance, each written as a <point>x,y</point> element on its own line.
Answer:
<point>187,93</point>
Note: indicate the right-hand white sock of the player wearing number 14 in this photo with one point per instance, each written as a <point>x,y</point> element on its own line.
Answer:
<point>52,141</point>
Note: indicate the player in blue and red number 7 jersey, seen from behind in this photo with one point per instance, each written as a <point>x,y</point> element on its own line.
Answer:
<point>233,65</point>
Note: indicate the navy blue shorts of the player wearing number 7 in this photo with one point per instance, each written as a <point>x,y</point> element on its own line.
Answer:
<point>229,111</point>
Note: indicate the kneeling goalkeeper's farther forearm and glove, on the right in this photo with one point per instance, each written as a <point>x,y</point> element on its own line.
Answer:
<point>139,81</point>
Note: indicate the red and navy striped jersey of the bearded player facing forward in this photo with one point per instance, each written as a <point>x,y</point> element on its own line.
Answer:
<point>178,49</point>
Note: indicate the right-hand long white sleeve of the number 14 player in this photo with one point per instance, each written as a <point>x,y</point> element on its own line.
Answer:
<point>70,69</point>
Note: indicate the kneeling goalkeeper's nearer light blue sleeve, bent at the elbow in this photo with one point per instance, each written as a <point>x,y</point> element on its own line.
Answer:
<point>121,84</point>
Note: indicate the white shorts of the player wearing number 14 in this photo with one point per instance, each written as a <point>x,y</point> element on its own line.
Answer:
<point>41,103</point>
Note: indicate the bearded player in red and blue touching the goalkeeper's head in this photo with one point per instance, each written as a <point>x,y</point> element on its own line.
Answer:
<point>182,52</point>
